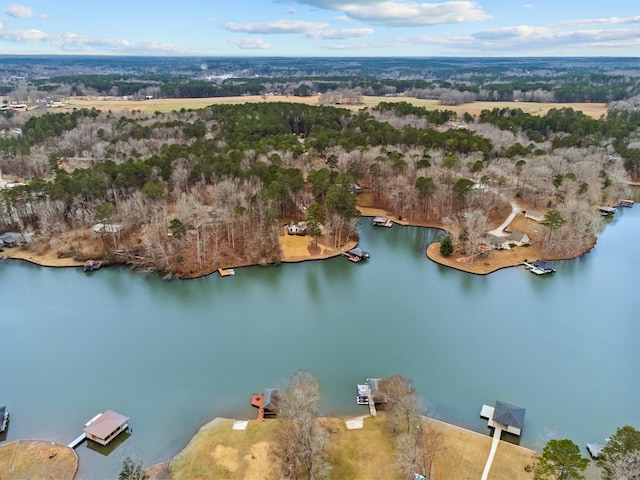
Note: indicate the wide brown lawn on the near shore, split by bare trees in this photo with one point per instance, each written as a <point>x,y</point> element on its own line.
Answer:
<point>217,451</point>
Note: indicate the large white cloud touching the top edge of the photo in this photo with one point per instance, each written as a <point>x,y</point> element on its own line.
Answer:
<point>405,13</point>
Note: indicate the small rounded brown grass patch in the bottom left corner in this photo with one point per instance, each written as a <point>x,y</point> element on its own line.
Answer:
<point>35,460</point>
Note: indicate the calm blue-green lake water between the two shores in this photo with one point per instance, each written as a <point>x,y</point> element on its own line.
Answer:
<point>174,355</point>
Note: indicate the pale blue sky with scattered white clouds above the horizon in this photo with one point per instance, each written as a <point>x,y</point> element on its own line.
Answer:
<point>322,27</point>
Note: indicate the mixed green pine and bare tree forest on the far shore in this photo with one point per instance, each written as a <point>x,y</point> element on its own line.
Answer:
<point>194,189</point>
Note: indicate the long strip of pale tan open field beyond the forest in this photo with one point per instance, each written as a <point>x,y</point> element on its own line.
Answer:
<point>594,110</point>
